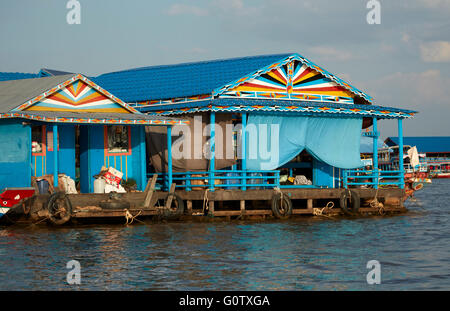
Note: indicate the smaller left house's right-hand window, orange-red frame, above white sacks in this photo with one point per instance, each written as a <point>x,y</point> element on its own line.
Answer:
<point>117,140</point>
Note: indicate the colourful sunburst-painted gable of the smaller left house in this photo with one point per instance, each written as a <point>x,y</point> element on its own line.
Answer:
<point>77,95</point>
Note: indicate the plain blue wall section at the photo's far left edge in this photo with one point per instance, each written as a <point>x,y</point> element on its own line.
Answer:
<point>15,154</point>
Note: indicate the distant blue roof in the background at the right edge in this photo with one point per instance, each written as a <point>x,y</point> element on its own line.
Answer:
<point>424,143</point>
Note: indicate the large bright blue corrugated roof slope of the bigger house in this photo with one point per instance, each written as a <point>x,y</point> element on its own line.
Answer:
<point>181,80</point>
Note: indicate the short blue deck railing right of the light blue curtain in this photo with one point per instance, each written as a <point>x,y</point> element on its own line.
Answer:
<point>374,178</point>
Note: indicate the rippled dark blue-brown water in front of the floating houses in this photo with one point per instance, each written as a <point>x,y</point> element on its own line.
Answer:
<point>311,254</point>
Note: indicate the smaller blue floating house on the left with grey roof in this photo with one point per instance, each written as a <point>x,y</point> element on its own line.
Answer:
<point>67,124</point>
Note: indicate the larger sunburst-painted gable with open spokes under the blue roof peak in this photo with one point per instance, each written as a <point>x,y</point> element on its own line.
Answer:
<point>294,81</point>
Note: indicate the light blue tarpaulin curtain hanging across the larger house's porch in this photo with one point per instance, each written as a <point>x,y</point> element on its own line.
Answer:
<point>275,140</point>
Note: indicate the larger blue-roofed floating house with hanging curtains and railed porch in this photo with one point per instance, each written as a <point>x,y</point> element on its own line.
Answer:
<point>319,117</point>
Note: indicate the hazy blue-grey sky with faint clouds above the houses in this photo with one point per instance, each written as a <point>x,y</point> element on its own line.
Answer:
<point>402,62</point>
